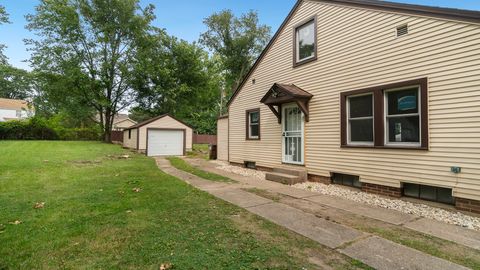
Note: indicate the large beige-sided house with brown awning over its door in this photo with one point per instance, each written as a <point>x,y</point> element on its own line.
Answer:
<point>371,94</point>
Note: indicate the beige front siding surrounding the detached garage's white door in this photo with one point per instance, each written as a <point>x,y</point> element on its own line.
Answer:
<point>165,122</point>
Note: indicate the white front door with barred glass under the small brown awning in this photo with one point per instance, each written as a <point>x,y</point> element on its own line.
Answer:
<point>292,134</point>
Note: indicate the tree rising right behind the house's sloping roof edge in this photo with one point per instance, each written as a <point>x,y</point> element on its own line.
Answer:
<point>237,41</point>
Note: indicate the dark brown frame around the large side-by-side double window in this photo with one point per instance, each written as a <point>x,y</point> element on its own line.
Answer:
<point>379,115</point>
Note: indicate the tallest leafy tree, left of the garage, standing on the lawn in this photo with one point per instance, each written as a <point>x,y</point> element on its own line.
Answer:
<point>92,46</point>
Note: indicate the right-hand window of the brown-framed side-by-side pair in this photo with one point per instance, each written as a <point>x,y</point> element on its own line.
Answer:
<point>402,116</point>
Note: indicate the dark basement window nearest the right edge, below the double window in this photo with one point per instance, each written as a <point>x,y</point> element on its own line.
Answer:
<point>429,193</point>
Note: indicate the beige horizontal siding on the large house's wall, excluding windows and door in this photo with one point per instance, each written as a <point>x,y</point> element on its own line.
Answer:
<point>358,48</point>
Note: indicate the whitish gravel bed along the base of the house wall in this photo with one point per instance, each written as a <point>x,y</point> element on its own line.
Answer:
<point>416,209</point>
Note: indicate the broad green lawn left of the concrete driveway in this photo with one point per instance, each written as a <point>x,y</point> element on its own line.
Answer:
<point>93,218</point>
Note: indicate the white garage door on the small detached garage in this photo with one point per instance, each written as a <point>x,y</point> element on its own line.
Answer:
<point>165,142</point>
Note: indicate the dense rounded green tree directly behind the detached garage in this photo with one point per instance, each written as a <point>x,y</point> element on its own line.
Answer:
<point>179,78</point>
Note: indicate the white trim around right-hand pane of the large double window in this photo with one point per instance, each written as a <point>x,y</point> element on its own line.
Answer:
<point>386,117</point>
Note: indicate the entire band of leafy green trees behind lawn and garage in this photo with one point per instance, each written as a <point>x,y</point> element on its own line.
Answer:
<point>92,59</point>
